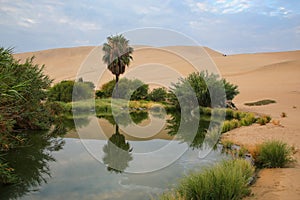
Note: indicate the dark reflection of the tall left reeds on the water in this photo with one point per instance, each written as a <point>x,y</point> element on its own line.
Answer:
<point>31,164</point>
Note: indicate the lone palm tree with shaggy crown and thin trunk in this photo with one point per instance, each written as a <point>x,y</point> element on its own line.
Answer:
<point>117,55</point>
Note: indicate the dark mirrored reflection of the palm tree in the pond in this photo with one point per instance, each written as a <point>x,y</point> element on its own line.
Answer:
<point>117,152</point>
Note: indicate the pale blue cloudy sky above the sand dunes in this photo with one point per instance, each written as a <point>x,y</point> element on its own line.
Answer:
<point>228,26</point>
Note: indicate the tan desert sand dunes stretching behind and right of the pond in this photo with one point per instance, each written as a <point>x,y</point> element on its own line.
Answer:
<point>259,76</point>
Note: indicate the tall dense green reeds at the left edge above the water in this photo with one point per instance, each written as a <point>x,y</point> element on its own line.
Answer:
<point>22,90</point>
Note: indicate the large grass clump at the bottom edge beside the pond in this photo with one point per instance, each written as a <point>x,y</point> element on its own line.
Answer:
<point>228,180</point>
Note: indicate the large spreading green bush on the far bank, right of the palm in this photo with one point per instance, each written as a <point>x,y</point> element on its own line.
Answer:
<point>204,86</point>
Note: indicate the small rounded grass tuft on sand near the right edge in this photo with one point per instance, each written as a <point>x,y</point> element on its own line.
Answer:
<point>274,154</point>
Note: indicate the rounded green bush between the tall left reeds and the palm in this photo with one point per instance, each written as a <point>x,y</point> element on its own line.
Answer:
<point>67,90</point>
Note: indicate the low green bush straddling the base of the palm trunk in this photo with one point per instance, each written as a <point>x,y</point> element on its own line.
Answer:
<point>127,89</point>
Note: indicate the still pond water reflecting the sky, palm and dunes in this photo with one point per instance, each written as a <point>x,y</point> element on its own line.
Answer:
<point>87,165</point>
